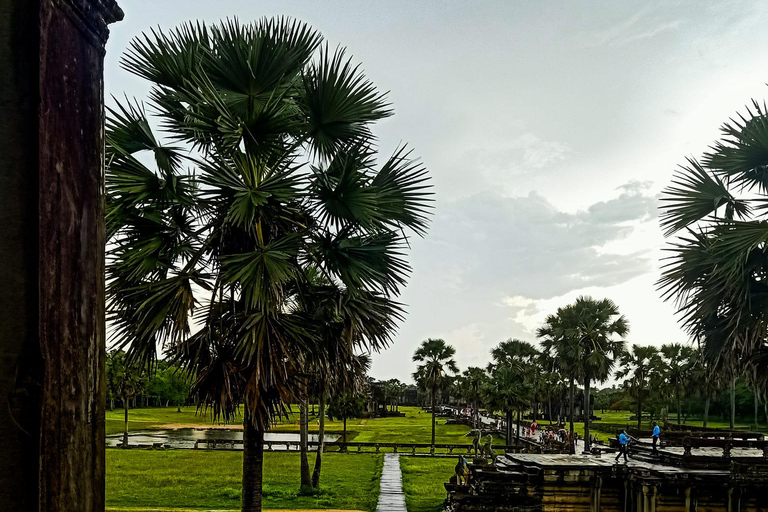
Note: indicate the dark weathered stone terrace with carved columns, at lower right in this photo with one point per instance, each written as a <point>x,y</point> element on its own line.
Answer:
<point>547,483</point>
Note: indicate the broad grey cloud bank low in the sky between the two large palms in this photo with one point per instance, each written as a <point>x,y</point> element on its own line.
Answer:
<point>490,246</point>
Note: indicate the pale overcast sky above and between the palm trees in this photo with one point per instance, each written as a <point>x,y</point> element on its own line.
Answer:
<point>549,130</point>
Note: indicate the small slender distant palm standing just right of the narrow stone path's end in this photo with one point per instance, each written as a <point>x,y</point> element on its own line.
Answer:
<point>437,361</point>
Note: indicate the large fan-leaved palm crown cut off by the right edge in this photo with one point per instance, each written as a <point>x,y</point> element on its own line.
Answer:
<point>717,265</point>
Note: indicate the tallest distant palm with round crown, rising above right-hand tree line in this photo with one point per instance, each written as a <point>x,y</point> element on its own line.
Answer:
<point>586,333</point>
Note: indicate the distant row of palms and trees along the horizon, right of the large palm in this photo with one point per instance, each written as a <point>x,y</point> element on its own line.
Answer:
<point>581,345</point>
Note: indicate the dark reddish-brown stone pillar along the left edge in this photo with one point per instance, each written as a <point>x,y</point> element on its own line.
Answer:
<point>52,253</point>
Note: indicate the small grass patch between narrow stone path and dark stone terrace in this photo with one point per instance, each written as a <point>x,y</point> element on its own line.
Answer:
<point>423,480</point>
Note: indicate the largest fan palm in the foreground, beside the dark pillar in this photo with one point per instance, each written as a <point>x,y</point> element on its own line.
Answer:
<point>271,172</point>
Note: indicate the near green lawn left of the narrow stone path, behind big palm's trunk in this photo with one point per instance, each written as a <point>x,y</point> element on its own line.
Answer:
<point>200,480</point>
